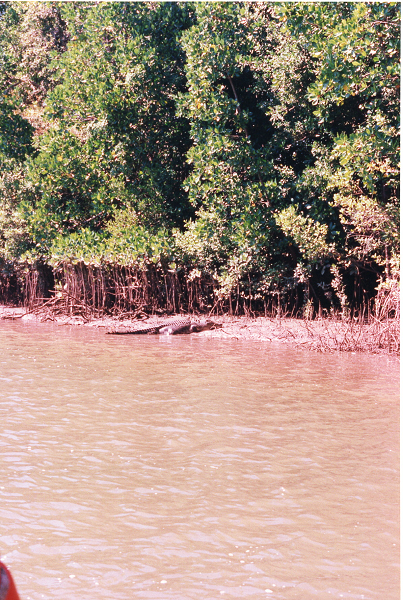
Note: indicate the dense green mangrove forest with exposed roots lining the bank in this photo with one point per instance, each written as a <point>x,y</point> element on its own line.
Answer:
<point>180,156</point>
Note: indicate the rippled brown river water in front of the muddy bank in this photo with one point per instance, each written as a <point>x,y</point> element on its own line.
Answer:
<point>181,468</point>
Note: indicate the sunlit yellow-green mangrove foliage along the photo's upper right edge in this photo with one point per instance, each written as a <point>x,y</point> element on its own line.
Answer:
<point>355,93</point>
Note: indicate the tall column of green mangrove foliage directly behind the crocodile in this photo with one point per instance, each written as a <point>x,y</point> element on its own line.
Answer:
<point>248,144</point>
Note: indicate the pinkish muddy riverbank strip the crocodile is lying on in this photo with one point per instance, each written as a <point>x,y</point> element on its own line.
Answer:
<point>323,335</point>
